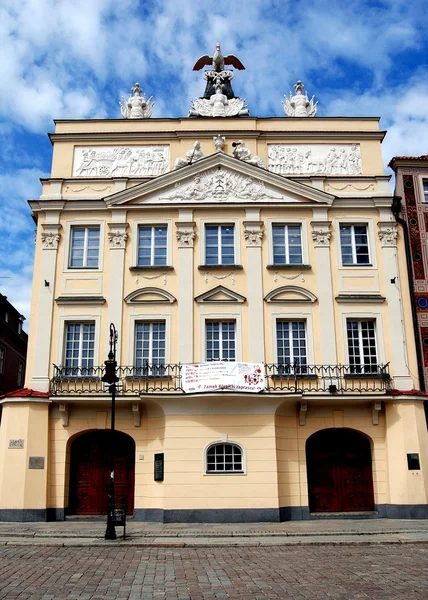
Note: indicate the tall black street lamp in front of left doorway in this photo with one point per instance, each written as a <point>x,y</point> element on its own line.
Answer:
<point>111,378</point>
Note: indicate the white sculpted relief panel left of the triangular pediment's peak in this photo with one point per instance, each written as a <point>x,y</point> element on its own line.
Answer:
<point>120,161</point>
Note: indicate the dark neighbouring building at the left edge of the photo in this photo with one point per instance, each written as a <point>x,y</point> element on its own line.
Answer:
<point>13,347</point>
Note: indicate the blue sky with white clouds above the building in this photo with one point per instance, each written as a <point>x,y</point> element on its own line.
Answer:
<point>75,59</point>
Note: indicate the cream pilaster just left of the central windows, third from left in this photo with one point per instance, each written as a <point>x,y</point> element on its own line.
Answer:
<point>185,235</point>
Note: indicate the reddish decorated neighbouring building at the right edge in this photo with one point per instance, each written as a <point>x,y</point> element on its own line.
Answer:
<point>411,184</point>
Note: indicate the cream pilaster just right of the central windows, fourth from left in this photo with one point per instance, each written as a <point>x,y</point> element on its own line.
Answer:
<point>253,234</point>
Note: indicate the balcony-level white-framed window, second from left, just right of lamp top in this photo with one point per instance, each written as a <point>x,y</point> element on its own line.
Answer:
<point>150,348</point>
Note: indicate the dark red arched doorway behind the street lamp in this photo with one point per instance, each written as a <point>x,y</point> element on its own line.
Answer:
<point>90,471</point>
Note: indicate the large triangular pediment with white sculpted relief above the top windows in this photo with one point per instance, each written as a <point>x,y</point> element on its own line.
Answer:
<point>223,179</point>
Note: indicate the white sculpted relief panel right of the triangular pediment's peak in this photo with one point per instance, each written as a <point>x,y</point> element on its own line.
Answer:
<point>317,159</point>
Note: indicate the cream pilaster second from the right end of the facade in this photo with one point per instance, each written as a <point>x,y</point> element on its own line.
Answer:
<point>321,236</point>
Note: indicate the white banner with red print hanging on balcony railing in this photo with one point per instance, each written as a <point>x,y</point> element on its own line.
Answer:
<point>216,376</point>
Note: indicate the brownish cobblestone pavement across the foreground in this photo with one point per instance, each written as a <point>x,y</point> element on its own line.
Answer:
<point>340,572</point>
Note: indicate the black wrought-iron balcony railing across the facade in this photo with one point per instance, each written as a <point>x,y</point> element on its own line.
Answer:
<point>289,379</point>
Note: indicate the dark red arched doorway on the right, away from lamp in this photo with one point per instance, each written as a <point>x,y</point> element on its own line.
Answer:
<point>339,471</point>
